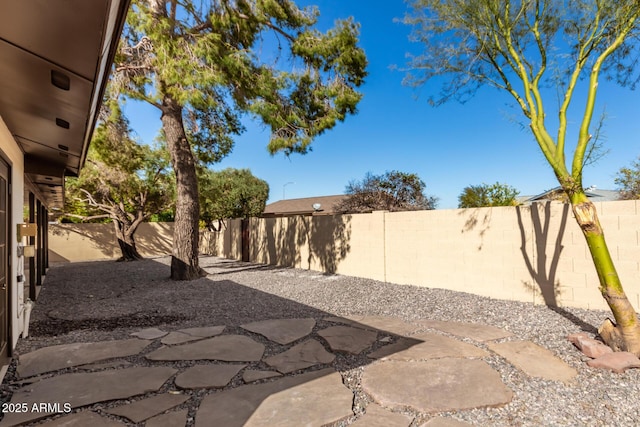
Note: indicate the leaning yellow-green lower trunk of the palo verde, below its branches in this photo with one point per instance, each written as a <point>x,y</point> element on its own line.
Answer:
<point>625,334</point>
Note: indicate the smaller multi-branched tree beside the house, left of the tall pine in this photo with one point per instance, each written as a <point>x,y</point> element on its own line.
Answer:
<point>121,181</point>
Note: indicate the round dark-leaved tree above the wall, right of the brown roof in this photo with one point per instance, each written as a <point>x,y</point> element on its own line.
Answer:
<point>392,191</point>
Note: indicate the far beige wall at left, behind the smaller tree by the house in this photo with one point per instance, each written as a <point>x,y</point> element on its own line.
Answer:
<point>90,242</point>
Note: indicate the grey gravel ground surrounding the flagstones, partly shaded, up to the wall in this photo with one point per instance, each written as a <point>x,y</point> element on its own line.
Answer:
<point>84,302</point>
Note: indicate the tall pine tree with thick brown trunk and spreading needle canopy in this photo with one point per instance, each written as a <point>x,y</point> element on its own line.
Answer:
<point>205,63</point>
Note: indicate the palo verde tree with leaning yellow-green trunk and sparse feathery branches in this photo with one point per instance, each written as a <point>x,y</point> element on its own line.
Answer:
<point>523,47</point>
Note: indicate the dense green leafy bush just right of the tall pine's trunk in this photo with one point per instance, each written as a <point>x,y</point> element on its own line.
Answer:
<point>231,193</point>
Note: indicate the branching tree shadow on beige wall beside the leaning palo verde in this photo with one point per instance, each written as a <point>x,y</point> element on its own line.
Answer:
<point>540,268</point>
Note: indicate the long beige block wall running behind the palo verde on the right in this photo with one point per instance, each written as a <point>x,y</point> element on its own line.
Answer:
<point>535,254</point>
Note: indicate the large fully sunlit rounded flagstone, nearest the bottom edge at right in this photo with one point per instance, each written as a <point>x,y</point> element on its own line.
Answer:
<point>435,385</point>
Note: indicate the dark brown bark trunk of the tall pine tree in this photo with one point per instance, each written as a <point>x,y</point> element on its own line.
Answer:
<point>184,260</point>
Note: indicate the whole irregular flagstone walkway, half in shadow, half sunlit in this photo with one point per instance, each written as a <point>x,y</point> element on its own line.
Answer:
<point>427,367</point>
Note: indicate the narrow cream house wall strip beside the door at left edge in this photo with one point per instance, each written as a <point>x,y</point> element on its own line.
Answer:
<point>12,153</point>
